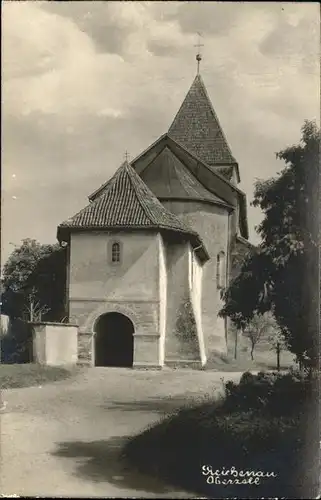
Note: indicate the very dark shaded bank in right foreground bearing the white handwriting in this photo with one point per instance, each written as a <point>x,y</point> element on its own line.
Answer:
<point>177,448</point>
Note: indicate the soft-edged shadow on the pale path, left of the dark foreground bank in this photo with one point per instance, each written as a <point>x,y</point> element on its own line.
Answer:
<point>102,461</point>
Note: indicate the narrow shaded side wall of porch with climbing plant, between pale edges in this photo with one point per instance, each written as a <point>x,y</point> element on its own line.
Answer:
<point>181,342</point>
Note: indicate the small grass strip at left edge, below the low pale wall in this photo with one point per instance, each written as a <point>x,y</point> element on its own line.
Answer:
<point>29,375</point>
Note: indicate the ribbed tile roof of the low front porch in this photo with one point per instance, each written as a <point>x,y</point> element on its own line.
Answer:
<point>127,203</point>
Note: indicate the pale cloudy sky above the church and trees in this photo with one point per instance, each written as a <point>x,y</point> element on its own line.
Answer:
<point>84,82</point>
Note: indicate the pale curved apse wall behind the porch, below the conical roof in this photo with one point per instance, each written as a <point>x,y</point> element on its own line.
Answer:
<point>212,224</point>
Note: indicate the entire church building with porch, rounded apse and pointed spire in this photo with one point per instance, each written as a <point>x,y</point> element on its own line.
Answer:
<point>149,256</point>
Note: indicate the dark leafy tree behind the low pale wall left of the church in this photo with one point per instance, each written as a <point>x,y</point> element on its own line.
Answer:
<point>34,282</point>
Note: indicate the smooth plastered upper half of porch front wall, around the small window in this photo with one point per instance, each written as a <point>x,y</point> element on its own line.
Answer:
<point>93,276</point>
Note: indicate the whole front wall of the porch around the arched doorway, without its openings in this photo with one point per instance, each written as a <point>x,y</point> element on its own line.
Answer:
<point>98,286</point>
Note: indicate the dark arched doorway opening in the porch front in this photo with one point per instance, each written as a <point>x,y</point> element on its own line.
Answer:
<point>114,341</point>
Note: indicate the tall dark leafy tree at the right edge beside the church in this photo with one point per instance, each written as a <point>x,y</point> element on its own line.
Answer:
<point>282,274</point>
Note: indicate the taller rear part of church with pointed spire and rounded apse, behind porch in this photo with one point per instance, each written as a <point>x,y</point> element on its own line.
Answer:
<point>194,174</point>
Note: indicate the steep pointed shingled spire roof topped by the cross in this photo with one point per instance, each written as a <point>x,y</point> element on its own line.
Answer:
<point>197,127</point>
